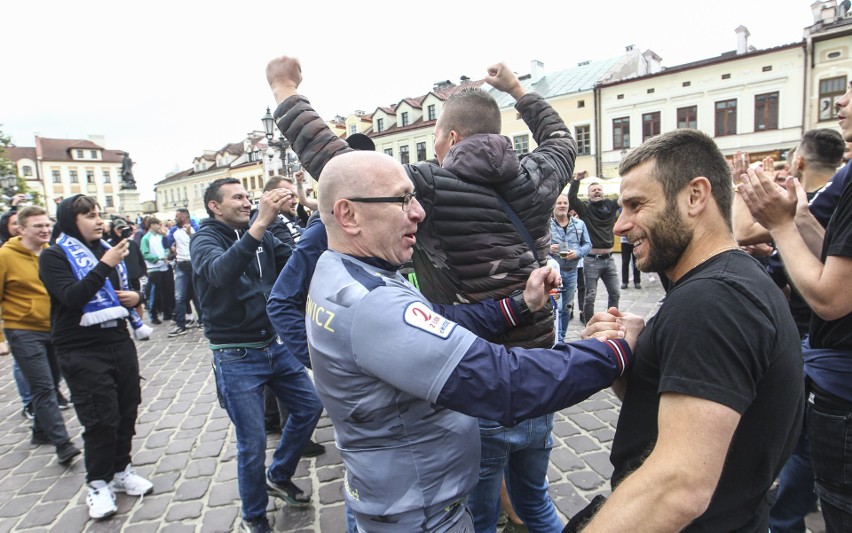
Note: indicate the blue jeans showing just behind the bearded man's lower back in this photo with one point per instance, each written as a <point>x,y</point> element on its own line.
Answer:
<point>795,491</point>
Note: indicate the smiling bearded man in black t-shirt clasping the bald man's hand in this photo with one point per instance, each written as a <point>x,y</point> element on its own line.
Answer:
<point>713,405</point>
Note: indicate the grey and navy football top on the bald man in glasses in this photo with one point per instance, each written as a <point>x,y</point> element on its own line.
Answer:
<point>402,408</point>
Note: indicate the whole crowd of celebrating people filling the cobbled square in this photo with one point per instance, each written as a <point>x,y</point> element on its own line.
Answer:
<point>442,392</point>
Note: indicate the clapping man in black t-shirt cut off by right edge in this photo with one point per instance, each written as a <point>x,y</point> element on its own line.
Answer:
<point>820,267</point>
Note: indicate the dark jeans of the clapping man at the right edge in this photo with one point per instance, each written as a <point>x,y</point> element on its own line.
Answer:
<point>829,429</point>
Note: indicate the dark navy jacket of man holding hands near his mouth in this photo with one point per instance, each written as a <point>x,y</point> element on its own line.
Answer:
<point>233,277</point>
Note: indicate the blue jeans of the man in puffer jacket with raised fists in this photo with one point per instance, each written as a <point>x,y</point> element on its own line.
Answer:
<point>522,454</point>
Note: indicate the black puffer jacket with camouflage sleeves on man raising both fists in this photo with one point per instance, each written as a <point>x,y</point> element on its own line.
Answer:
<point>468,249</point>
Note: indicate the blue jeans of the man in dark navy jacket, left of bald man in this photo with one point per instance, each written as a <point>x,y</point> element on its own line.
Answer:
<point>241,374</point>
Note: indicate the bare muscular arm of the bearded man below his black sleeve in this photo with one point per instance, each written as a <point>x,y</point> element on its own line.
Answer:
<point>676,482</point>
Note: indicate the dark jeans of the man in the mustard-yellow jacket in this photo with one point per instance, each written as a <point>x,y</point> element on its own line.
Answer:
<point>31,351</point>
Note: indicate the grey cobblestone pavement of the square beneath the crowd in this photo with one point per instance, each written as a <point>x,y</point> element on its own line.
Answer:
<point>186,446</point>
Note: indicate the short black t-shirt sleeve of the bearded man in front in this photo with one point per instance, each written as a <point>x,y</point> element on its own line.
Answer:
<point>720,359</point>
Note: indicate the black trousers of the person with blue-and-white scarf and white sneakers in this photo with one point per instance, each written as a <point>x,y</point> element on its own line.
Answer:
<point>104,384</point>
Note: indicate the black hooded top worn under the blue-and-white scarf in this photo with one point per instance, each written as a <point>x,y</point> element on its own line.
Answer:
<point>68,295</point>
